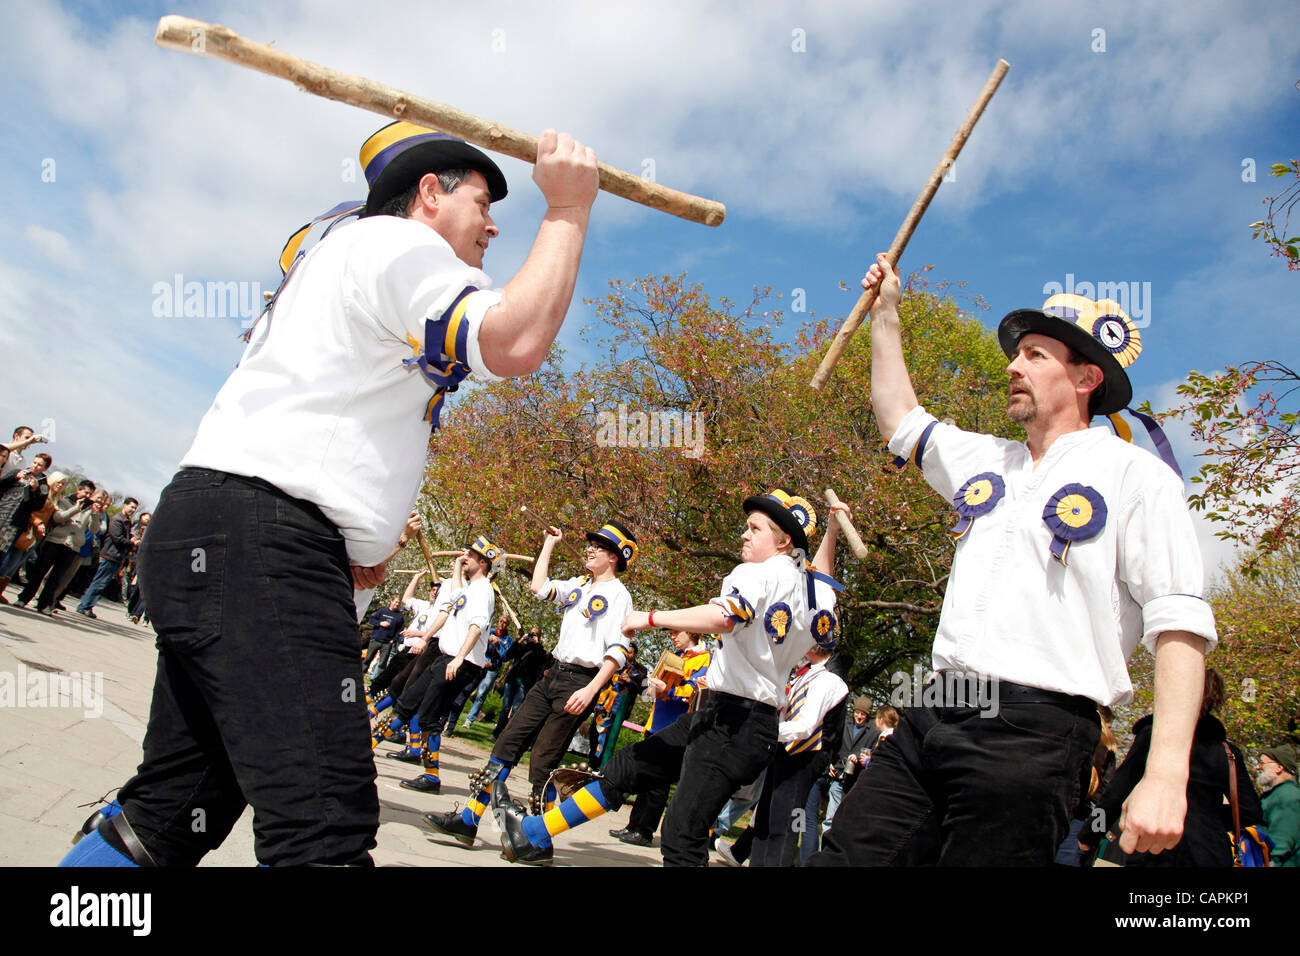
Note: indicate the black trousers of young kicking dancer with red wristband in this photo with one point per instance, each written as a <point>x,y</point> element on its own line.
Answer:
<point>709,755</point>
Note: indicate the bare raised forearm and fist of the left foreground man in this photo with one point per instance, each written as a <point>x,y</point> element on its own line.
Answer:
<point>519,331</point>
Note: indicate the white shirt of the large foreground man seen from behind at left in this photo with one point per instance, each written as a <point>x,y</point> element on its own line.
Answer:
<point>322,405</point>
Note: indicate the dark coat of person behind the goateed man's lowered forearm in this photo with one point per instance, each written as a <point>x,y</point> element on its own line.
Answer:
<point>1206,832</point>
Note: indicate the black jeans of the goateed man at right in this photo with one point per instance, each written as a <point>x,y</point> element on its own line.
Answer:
<point>956,789</point>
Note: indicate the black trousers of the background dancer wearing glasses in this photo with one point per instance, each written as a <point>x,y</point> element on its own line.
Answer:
<point>543,720</point>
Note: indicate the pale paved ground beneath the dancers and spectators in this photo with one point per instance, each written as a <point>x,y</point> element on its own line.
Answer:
<point>63,751</point>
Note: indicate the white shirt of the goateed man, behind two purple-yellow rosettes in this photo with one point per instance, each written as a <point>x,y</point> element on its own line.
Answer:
<point>1015,612</point>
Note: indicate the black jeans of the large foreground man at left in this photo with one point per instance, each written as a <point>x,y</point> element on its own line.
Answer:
<point>259,697</point>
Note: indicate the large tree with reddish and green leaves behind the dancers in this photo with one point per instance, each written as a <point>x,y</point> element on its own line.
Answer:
<point>618,439</point>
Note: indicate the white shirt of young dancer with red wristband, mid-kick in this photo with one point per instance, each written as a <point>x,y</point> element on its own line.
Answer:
<point>749,661</point>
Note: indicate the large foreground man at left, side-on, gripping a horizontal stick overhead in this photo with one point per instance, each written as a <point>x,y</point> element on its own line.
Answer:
<point>284,505</point>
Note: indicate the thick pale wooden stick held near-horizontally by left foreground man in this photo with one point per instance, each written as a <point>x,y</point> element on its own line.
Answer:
<point>222,44</point>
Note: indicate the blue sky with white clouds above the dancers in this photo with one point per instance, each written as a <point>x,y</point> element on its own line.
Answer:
<point>1115,157</point>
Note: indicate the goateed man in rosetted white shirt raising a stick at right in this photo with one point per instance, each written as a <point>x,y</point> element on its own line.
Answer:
<point>1072,550</point>
